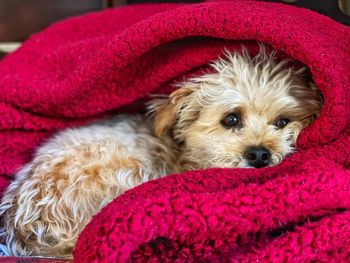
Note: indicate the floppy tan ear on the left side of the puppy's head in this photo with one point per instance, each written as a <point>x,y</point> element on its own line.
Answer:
<point>165,111</point>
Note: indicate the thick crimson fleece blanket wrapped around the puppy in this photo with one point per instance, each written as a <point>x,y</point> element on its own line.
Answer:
<point>107,62</point>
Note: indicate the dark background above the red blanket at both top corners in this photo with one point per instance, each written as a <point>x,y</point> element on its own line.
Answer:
<point>21,18</point>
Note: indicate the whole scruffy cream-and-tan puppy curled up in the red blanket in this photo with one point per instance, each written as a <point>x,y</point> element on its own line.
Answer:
<point>247,113</point>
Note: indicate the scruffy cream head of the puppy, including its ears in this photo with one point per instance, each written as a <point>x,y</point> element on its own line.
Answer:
<point>248,113</point>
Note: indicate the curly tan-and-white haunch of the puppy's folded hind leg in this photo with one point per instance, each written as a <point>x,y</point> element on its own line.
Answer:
<point>55,196</point>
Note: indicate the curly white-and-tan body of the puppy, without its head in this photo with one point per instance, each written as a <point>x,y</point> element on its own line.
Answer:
<point>74,175</point>
